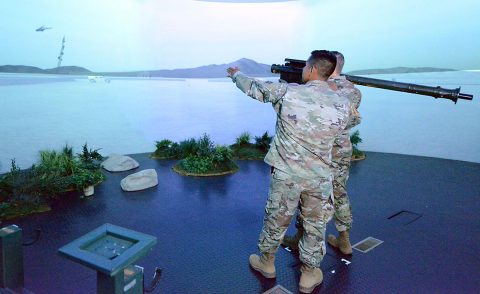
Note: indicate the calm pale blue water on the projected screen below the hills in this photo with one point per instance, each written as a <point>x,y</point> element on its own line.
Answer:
<point>127,115</point>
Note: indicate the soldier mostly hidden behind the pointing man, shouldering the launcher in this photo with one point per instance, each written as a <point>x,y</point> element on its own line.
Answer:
<point>341,157</point>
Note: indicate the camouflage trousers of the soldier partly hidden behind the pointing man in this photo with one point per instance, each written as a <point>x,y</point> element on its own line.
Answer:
<point>341,158</point>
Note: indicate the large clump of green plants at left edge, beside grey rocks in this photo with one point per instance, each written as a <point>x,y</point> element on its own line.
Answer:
<point>26,191</point>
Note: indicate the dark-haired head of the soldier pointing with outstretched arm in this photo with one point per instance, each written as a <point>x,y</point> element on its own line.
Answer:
<point>319,66</point>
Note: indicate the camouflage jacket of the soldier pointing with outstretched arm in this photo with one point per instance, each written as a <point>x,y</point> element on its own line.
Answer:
<point>309,117</point>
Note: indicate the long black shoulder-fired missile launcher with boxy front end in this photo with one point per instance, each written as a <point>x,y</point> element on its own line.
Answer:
<point>291,72</point>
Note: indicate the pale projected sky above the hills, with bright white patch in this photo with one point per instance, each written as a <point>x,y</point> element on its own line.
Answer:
<point>121,35</point>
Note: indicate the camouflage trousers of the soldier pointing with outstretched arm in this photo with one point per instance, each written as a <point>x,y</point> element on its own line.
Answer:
<point>316,209</point>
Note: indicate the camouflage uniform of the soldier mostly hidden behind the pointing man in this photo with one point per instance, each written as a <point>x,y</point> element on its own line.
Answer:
<point>341,156</point>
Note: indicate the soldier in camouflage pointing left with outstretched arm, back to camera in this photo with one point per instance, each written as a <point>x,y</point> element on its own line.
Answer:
<point>309,118</point>
